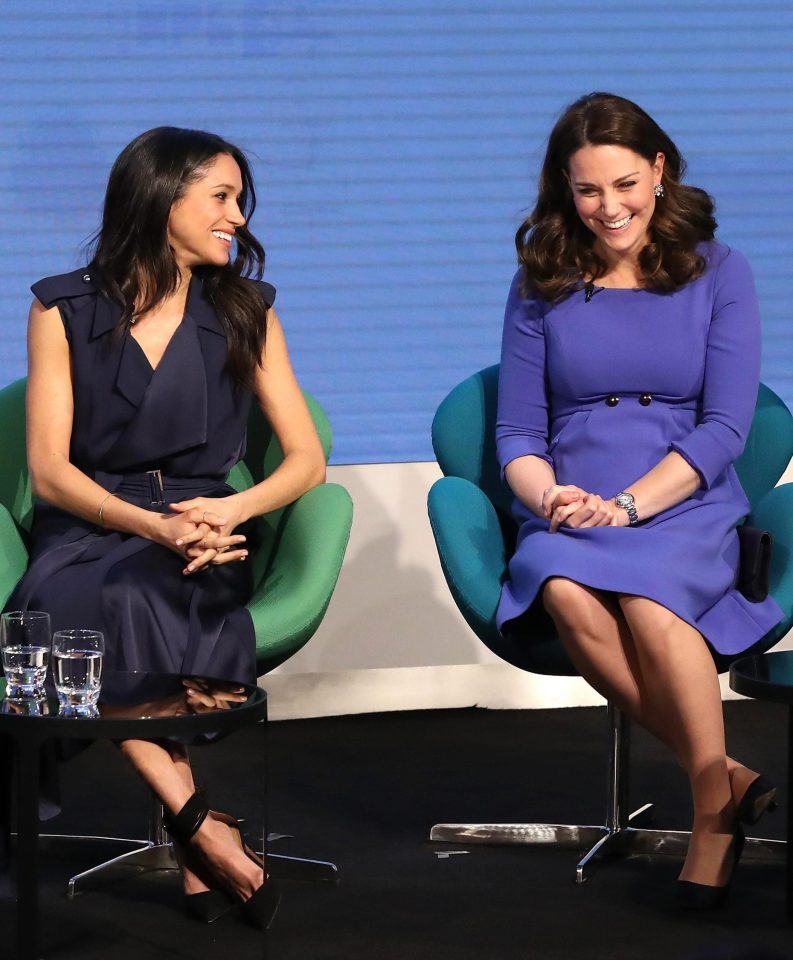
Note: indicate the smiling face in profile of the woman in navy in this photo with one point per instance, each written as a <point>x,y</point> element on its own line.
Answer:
<point>202,222</point>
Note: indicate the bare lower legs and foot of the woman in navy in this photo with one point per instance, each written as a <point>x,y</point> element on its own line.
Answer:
<point>169,776</point>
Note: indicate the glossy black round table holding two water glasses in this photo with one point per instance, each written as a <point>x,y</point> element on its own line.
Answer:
<point>133,706</point>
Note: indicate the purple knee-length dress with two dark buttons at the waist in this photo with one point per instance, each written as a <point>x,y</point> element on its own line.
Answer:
<point>603,390</point>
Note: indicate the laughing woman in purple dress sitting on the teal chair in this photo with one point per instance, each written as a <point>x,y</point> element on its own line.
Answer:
<point>629,376</point>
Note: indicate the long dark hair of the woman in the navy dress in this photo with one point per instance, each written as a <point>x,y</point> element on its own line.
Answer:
<point>133,259</point>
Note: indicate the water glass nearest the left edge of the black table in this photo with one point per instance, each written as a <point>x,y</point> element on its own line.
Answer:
<point>26,639</point>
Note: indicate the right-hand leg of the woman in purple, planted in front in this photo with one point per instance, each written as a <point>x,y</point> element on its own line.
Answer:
<point>680,677</point>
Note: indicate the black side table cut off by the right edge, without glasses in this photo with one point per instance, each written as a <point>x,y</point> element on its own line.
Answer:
<point>770,677</point>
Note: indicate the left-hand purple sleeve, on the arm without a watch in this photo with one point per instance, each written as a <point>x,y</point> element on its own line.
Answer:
<point>522,420</point>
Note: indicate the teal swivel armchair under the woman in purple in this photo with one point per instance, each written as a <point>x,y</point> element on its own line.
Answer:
<point>469,509</point>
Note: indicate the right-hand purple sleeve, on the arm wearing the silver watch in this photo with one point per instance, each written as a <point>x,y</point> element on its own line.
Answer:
<point>732,371</point>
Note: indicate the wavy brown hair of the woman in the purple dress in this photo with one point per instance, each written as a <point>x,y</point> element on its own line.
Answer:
<point>557,249</point>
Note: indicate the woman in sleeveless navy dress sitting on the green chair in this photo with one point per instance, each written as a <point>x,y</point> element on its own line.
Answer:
<point>142,368</point>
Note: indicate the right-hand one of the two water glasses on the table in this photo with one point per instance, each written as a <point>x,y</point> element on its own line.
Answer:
<point>77,669</point>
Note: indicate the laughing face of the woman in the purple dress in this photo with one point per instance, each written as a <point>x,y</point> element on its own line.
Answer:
<point>613,195</point>
